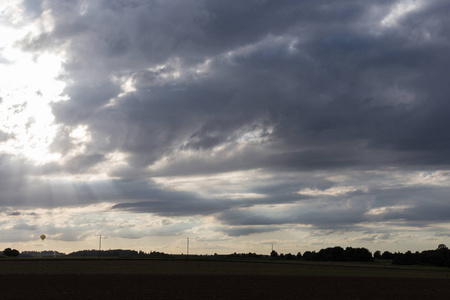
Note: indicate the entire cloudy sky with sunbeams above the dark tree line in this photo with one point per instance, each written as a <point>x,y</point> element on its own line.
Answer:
<point>237,124</point>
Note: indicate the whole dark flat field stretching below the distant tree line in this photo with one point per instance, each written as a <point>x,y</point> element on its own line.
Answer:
<point>197,279</point>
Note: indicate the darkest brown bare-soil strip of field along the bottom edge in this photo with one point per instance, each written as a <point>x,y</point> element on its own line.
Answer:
<point>141,286</point>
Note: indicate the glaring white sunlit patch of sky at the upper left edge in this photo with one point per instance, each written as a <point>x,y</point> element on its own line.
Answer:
<point>29,85</point>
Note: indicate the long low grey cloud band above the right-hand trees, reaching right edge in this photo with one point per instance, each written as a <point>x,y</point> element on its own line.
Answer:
<point>410,206</point>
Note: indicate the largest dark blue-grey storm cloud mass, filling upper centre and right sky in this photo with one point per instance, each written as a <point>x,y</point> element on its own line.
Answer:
<point>341,98</point>
